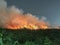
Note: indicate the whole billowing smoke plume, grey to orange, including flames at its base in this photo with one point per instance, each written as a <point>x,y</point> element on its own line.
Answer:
<point>14,17</point>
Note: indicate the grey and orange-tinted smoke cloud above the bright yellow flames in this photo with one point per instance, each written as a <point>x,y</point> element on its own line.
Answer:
<point>8,15</point>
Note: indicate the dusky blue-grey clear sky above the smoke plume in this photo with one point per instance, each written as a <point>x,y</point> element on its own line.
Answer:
<point>47,8</point>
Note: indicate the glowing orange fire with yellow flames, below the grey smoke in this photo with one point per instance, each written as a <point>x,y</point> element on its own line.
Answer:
<point>25,21</point>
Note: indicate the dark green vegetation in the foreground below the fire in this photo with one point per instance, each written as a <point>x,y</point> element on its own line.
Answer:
<point>30,37</point>
